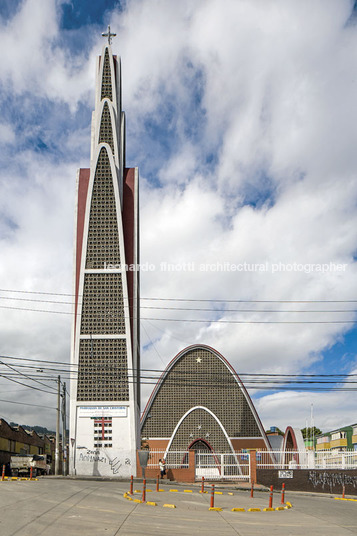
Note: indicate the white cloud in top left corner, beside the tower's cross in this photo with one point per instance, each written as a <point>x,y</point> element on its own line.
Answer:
<point>32,60</point>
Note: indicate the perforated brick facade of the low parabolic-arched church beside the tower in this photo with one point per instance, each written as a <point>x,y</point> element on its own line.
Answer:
<point>201,396</point>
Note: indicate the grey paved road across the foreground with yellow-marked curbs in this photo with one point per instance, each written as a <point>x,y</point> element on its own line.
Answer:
<point>57,507</point>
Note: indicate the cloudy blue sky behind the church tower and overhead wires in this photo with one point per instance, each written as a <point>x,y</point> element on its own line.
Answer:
<point>242,122</point>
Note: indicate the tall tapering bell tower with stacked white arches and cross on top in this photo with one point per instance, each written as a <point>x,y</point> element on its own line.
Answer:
<point>105,356</point>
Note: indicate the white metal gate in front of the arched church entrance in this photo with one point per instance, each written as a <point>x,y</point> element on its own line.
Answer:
<point>226,466</point>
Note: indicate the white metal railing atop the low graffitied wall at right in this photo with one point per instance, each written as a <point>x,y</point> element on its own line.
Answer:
<point>306,459</point>
